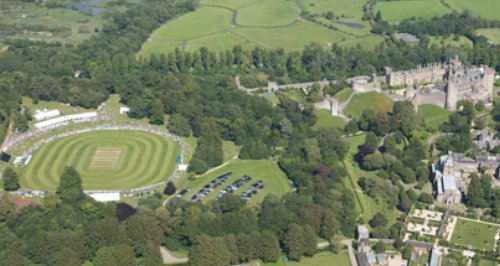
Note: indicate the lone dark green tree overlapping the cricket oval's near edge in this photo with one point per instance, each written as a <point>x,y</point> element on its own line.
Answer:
<point>70,186</point>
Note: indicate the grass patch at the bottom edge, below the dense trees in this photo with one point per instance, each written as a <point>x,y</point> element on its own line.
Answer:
<point>320,259</point>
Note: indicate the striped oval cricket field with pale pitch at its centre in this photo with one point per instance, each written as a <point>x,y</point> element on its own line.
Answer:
<point>107,159</point>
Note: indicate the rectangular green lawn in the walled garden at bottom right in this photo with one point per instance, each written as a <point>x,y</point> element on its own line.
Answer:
<point>475,234</point>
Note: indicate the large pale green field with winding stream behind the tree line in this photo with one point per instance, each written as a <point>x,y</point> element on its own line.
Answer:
<point>221,24</point>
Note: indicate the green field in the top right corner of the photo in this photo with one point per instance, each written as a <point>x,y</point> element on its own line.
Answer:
<point>484,8</point>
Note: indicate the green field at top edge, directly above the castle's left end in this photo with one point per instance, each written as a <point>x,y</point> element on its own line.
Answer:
<point>396,11</point>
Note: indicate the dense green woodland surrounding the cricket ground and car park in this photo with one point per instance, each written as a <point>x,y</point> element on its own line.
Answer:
<point>197,91</point>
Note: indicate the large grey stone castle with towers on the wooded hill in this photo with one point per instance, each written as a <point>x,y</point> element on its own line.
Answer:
<point>444,84</point>
